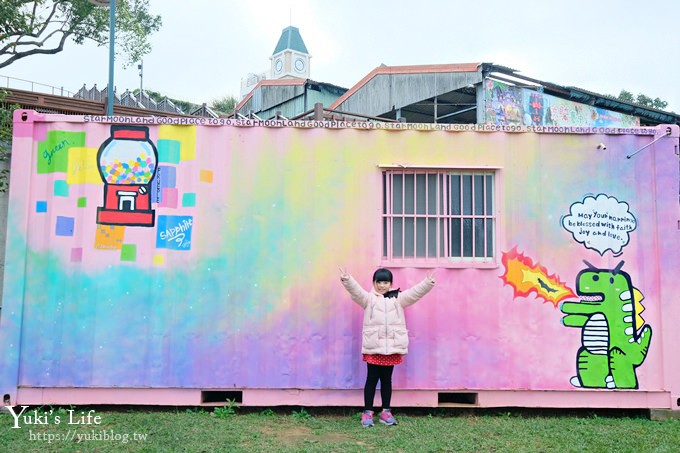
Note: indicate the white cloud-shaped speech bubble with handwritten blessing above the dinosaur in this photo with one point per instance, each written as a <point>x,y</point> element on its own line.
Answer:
<point>600,223</point>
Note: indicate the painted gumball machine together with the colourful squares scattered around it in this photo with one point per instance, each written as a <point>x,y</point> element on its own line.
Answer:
<point>138,178</point>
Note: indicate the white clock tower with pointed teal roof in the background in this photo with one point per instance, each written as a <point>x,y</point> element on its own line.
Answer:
<point>290,57</point>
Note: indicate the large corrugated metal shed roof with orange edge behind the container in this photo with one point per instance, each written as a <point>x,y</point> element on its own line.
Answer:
<point>453,93</point>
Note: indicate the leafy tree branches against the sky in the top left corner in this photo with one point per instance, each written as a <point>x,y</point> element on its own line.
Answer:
<point>35,27</point>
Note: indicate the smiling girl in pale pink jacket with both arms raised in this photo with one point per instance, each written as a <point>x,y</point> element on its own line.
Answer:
<point>384,337</point>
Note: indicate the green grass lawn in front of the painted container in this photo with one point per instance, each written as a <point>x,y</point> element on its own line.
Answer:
<point>230,428</point>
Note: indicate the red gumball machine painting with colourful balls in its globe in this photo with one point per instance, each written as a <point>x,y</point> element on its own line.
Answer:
<point>127,163</point>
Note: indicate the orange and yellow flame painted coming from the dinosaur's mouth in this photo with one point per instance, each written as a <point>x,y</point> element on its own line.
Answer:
<point>525,277</point>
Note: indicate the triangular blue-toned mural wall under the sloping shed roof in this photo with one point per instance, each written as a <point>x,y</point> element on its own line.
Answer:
<point>512,105</point>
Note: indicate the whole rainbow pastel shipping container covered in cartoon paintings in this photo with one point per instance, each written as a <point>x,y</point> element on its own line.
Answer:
<point>186,261</point>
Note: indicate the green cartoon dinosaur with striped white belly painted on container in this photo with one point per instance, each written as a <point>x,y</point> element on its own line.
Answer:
<point>614,338</point>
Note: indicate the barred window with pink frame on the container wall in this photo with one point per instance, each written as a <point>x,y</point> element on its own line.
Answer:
<point>443,217</point>
